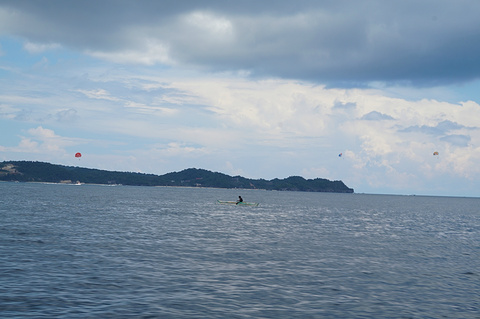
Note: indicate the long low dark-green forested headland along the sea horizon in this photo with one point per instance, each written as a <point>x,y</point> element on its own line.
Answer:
<point>28,171</point>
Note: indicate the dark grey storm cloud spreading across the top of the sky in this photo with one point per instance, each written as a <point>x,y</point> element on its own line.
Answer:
<point>426,42</point>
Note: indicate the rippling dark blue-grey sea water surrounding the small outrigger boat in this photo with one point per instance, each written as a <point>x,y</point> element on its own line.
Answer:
<point>94,251</point>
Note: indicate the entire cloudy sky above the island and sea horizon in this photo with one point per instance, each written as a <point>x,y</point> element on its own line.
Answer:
<point>359,91</point>
